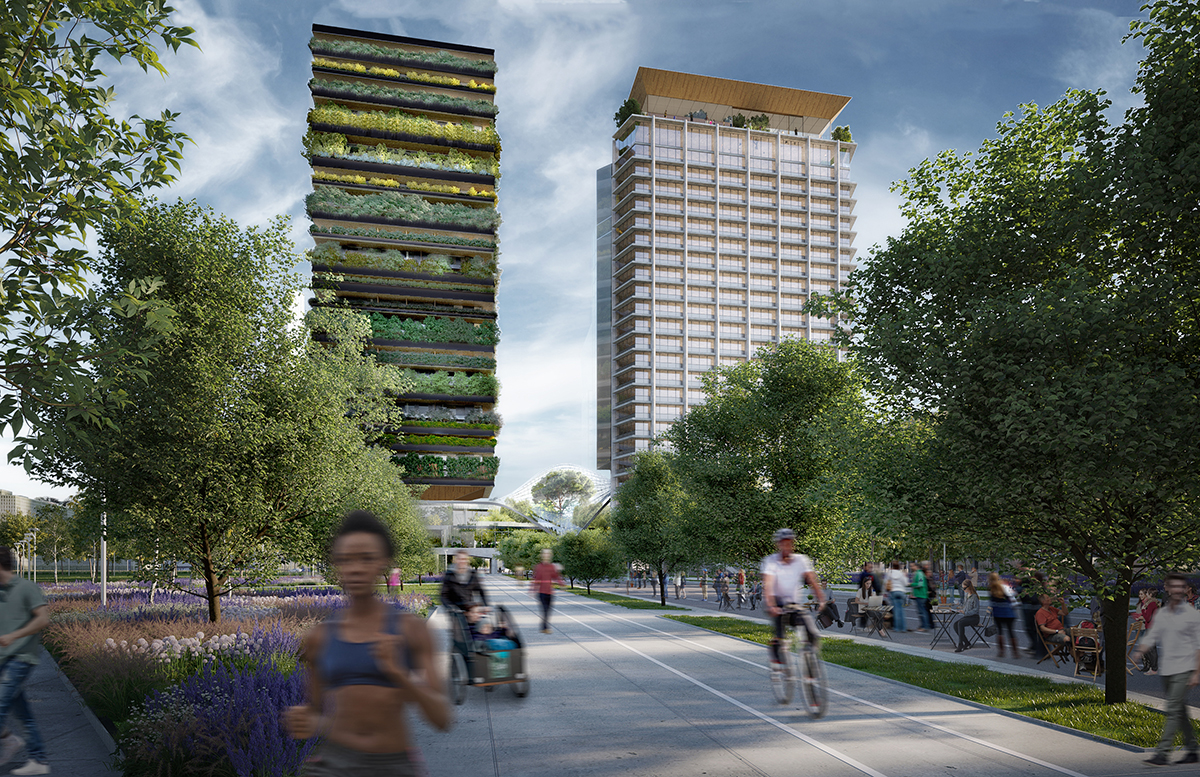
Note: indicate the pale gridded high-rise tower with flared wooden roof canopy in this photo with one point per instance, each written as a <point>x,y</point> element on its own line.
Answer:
<point>724,208</point>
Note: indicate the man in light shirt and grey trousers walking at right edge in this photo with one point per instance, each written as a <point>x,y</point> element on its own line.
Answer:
<point>1177,634</point>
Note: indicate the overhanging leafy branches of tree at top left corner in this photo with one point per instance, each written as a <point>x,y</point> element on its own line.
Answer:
<point>67,166</point>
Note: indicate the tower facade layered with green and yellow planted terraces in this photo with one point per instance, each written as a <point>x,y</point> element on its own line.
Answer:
<point>405,165</point>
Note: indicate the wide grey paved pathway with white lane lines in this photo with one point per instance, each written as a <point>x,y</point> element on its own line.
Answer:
<point>626,692</point>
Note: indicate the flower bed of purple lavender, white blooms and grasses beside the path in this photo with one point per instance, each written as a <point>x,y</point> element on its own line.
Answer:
<point>184,696</point>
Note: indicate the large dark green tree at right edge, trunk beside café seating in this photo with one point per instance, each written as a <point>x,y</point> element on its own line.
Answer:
<point>1040,310</point>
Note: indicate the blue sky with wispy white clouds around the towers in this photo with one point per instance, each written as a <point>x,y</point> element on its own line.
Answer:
<point>922,75</point>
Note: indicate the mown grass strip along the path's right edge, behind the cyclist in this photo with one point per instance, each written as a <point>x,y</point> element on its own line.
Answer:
<point>1075,706</point>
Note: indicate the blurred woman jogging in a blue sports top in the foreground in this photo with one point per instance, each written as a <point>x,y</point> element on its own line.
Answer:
<point>367,665</point>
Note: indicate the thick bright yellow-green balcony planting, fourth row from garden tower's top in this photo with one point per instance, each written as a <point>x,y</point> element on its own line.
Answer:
<point>399,125</point>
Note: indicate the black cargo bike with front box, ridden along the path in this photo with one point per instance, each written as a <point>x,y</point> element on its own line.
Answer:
<point>487,664</point>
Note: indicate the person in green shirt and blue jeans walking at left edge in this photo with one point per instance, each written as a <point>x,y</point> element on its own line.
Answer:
<point>23,616</point>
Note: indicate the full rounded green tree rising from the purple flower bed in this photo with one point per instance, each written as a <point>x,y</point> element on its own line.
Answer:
<point>248,442</point>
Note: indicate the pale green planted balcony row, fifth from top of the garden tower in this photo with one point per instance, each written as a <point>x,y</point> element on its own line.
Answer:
<point>322,148</point>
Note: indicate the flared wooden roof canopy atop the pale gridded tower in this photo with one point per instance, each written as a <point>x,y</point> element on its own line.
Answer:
<point>671,94</point>
